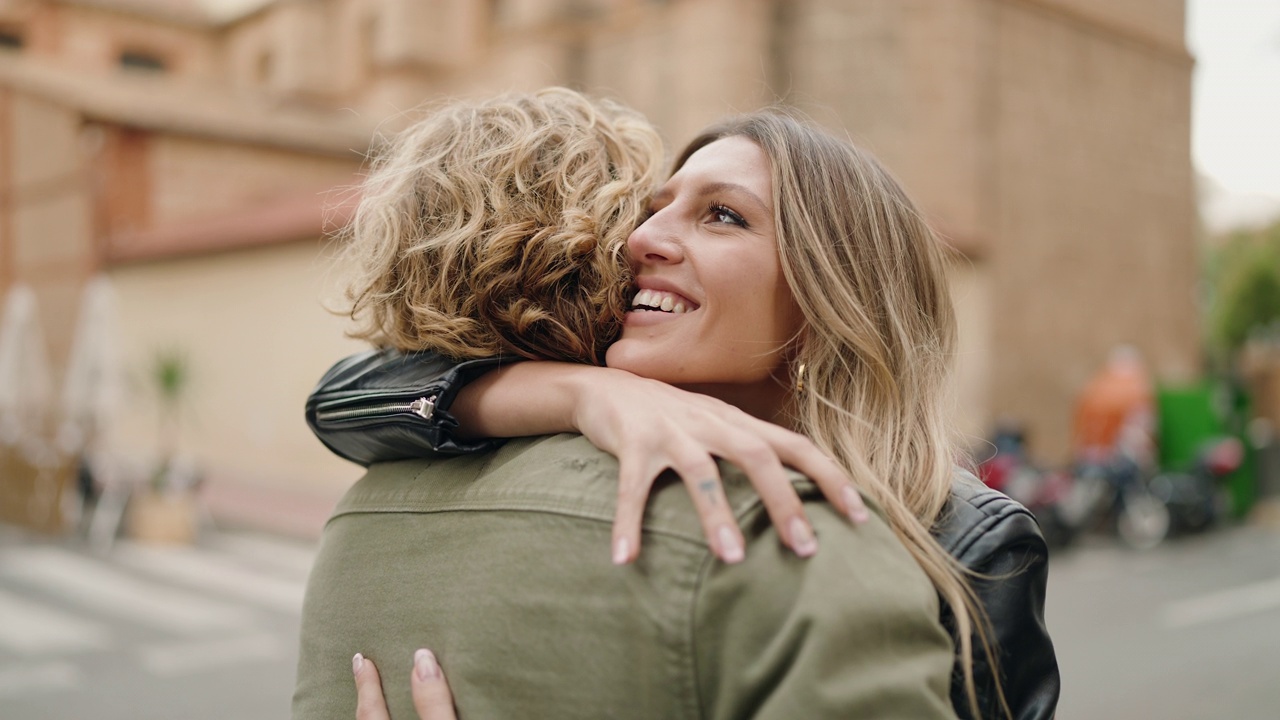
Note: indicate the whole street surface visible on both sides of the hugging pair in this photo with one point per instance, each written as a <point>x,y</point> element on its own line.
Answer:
<point>1187,631</point>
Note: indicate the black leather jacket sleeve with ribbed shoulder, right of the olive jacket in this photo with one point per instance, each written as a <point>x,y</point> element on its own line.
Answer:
<point>1000,541</point>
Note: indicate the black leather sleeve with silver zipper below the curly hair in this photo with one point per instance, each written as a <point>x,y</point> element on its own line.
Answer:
<point>388,405</point>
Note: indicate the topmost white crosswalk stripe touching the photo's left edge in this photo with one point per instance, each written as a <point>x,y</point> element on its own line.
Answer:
<point>100,589</point>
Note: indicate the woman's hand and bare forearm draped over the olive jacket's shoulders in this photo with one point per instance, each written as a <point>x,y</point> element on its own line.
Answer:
<point>651,427</point>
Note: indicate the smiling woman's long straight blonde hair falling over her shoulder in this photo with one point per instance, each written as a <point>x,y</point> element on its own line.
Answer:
<point>880,338</point>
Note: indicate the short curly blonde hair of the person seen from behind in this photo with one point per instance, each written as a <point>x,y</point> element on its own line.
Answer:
<point>499,227</point>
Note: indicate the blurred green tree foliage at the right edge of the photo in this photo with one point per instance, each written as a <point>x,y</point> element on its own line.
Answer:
<point>1246,281</point>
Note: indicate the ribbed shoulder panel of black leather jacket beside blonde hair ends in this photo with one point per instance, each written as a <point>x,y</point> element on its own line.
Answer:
<point>980,522</point>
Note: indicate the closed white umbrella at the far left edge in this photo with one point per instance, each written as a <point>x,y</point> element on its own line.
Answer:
<point>26,386</point>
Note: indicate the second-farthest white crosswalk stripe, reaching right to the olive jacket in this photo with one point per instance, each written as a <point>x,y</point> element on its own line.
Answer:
<point>212,572</point>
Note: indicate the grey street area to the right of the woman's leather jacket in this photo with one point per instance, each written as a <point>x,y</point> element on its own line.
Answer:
<point>1190,631</point>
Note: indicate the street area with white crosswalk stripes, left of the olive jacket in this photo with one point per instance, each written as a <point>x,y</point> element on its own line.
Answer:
<point>149,634</point>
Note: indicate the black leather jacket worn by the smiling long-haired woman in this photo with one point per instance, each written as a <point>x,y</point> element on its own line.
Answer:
<point>387,405</point>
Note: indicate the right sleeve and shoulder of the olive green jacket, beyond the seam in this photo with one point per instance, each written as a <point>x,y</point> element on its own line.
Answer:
<point>852,632</point>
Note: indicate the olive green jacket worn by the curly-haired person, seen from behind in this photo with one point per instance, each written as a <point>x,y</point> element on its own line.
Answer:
<point>501,564</point>
